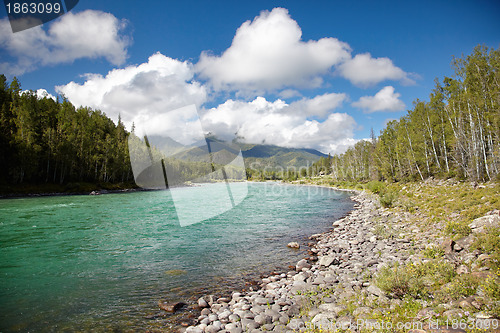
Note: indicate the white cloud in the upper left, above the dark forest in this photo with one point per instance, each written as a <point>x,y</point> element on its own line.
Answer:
<point>87,34</point>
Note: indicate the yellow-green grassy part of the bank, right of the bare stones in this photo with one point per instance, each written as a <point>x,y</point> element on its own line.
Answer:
<point>454,274</point>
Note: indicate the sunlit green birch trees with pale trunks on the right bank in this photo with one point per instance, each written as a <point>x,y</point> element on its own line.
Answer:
<point>455,134</point>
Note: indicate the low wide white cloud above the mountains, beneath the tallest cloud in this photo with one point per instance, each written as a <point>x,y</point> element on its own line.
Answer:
<point>276,123</point>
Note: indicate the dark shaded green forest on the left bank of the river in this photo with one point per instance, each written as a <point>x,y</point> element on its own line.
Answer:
<point>47,141</point>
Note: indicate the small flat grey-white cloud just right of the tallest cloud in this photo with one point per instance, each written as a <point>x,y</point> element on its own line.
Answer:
<point>363,71</point>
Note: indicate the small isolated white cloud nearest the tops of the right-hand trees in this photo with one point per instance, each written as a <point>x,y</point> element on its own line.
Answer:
<point>384,100</point>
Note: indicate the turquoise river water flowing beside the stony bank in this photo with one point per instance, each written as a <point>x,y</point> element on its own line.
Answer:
<point>101,263</point>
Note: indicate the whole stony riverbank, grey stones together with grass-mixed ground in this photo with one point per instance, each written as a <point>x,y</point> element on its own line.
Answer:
<point>335,287</point>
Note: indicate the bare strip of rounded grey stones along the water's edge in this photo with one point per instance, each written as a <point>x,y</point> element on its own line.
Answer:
<point>334,271</point>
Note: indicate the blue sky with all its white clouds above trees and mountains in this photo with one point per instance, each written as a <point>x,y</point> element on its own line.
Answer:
<point>315,74</point>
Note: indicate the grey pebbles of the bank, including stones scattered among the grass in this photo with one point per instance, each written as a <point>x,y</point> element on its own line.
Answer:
<point>345,254</point>
